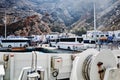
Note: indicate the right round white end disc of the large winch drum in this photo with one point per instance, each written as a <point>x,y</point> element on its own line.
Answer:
<point>108,59</point>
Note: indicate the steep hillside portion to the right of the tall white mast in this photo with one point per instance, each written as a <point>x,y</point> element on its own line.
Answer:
<point>110,21</point>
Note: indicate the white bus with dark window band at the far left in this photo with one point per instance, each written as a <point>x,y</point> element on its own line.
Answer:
<point>15,42</point>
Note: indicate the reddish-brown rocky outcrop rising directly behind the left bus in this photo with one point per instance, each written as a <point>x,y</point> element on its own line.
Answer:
<point>28,26</point>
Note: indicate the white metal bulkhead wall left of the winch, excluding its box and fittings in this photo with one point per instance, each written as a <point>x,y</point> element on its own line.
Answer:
<point>22,60</point>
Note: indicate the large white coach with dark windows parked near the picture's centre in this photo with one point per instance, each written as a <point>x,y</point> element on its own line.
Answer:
<point>73,43</point>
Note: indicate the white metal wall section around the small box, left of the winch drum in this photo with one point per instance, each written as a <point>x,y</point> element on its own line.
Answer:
<point>65,69</point>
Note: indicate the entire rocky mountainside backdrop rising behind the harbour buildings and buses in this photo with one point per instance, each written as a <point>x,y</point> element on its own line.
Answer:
<point>26,17</point>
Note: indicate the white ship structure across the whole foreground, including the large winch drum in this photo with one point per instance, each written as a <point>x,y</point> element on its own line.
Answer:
<point>60,65</point>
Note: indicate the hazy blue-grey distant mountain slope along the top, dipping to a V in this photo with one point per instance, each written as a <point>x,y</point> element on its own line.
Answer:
<point>69,11</point>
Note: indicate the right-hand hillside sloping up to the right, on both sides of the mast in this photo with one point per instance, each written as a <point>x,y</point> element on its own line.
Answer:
<point>107,19</point>
